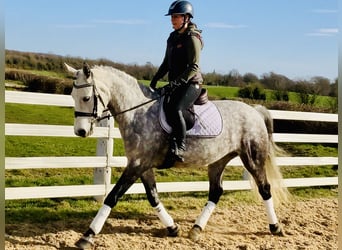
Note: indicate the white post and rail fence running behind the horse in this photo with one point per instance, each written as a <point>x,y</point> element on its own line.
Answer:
<point>104,160</point>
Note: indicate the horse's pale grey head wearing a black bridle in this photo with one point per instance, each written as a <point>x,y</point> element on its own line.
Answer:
<point>88,103</point>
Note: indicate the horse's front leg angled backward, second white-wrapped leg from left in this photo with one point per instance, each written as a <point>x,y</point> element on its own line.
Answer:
<point>148,179</point>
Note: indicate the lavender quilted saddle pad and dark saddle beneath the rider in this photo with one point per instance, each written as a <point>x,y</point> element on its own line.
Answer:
<point>203,119</point>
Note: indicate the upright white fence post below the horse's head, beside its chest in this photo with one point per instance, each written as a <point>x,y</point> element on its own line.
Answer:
<point>104,148</point>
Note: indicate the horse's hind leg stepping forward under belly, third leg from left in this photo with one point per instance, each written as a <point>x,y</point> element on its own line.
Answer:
<point>215,171</point>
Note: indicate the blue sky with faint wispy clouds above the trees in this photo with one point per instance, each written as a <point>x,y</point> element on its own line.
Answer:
<point>295,38</point>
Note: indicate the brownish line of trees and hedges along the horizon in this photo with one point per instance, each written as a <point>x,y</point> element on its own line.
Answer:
<point>249,82</point>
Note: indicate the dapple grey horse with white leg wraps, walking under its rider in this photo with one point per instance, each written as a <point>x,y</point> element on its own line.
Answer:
<point>247,133</point>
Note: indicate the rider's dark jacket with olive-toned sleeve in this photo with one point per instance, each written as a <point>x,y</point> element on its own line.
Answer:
<point>182,57</point>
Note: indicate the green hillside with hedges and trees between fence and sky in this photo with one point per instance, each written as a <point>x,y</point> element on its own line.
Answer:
<point>39,72</point>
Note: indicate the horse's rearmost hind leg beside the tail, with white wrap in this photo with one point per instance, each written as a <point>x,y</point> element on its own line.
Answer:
<point>254,160</point>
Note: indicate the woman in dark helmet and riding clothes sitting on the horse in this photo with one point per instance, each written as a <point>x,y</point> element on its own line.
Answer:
<point>181,62</point>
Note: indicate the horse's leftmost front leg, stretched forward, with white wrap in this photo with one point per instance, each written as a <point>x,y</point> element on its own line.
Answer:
<point>128,177</point>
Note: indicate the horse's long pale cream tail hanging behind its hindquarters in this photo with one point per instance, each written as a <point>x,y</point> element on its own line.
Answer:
<point>279,191</point>
